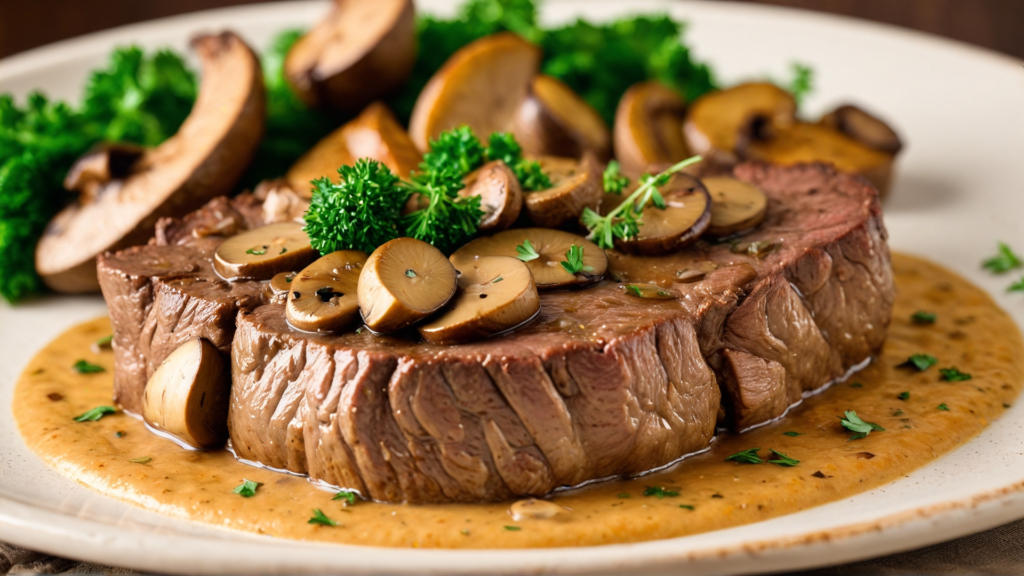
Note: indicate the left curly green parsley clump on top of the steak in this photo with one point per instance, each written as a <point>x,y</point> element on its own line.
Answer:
<point>360,213</point>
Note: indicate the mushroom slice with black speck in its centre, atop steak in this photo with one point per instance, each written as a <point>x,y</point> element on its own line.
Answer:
<point>324,297</point>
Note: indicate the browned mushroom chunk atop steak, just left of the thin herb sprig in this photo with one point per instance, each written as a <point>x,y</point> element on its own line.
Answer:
<point>578,185</point>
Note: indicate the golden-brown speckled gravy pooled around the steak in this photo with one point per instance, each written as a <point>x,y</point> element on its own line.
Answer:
<point>972,334</point>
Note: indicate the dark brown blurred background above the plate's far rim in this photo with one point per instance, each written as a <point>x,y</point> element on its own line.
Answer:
<point>993,24</point>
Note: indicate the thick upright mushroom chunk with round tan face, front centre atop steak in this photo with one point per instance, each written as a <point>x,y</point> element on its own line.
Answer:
<point>403,282</point>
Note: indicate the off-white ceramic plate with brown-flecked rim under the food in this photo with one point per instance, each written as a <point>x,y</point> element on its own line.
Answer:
<point>960,189</point>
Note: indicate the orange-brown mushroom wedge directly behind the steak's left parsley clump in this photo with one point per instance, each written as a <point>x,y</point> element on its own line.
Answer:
<point>375,135</point>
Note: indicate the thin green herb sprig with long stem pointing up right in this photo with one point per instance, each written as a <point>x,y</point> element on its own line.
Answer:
<point>624,222</point>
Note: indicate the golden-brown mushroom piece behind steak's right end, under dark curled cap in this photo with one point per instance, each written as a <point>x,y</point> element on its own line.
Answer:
<point>813,143</point>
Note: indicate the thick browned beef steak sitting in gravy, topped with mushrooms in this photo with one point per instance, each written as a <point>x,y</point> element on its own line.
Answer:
<point>603,384</point>
